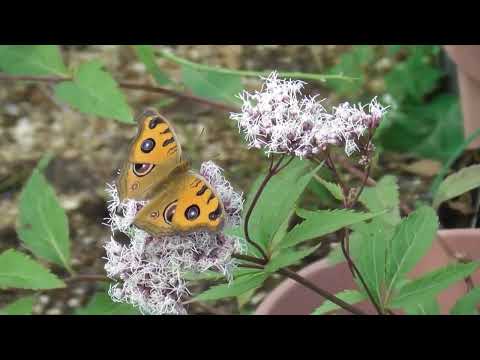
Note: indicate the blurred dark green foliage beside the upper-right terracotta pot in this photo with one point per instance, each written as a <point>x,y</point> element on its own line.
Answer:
<point>419,120</point>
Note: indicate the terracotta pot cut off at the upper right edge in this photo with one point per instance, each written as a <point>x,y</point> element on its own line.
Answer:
<point>467,59</point>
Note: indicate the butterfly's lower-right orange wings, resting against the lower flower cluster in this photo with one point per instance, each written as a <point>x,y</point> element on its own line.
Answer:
<point>187,203</point>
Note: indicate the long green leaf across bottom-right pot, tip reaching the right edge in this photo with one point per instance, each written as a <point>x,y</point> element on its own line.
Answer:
<point>431,284</point>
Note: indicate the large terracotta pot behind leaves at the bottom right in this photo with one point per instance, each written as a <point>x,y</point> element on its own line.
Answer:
<point>291,298</point>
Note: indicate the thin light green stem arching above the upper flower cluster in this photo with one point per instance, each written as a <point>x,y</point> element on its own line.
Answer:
<point>248,73</point>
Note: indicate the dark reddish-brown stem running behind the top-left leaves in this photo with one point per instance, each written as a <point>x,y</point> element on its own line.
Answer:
<point>131,86</point>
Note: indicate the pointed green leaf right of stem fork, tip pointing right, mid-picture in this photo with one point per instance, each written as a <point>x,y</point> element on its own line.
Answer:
<point>322,222</point>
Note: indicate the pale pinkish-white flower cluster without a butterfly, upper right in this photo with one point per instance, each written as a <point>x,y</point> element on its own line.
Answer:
<point>282,120</point>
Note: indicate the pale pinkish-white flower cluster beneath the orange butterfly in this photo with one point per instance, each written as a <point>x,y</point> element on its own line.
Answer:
<point>149,271</point>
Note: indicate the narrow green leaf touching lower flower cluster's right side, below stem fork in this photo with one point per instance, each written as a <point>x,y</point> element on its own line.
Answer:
<point>235,288</point>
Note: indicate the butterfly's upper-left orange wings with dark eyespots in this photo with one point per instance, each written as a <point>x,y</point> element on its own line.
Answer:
<point>153,156</point>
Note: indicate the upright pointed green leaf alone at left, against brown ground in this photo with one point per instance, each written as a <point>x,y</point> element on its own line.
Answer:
<point>43,224</point>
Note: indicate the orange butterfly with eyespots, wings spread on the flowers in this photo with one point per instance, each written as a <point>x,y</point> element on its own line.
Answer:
<point>179,199</point>
